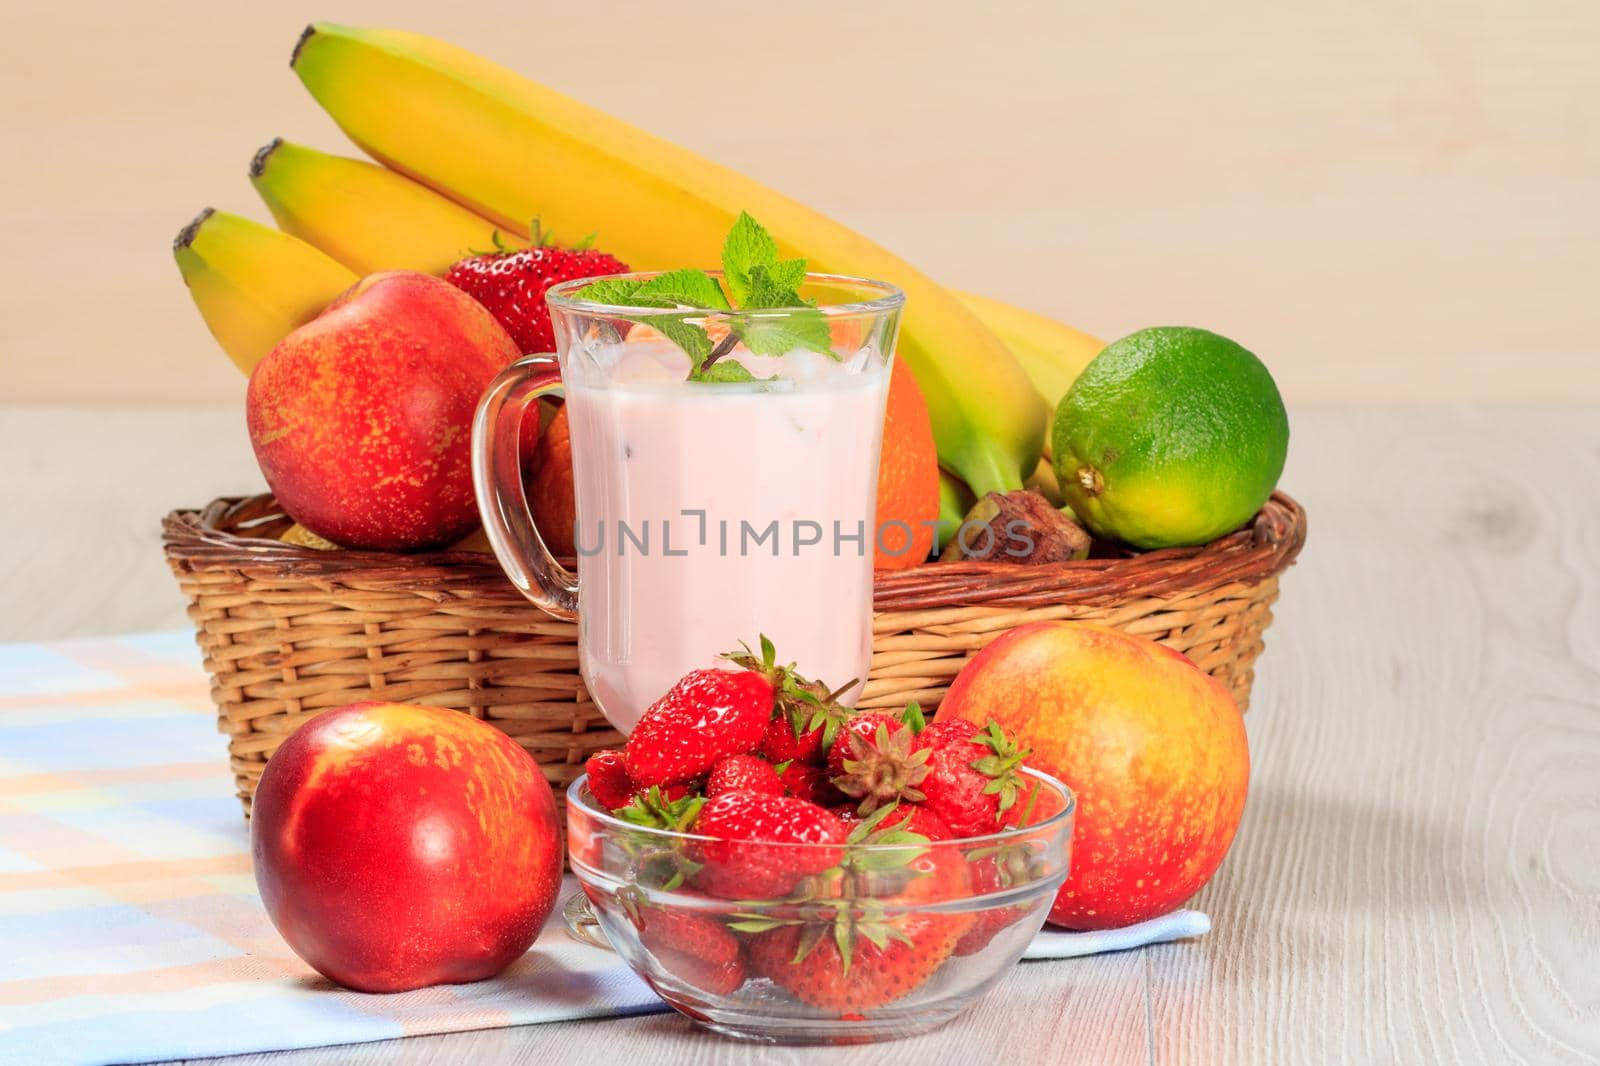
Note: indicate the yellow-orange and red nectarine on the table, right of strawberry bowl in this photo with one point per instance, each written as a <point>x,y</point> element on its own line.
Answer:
<point>1153,748</point>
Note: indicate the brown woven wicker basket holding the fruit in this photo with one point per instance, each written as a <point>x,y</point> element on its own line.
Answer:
<point>292,631</point>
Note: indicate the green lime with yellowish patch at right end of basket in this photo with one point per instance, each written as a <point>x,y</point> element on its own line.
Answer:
<point>1172,436</point>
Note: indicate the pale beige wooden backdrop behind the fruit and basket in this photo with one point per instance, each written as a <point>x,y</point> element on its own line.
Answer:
<point>1388,202</point>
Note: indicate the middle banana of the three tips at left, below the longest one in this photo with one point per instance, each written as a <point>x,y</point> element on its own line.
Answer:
<point>366,217</point>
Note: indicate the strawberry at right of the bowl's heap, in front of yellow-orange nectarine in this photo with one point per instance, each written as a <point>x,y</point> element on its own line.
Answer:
<point>972,775</point>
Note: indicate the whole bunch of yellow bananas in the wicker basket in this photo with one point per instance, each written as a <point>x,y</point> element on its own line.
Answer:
<point>473,148</point>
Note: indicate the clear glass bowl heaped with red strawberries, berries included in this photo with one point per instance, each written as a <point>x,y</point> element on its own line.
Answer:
<point>833,876</point>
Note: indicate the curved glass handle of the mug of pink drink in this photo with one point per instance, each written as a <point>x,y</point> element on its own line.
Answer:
<point>503,500</point>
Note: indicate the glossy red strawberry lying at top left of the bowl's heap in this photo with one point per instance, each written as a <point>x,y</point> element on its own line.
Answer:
<point>705,718</point>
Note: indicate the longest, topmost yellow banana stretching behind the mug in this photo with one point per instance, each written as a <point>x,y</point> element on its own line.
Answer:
<point>511,151</point>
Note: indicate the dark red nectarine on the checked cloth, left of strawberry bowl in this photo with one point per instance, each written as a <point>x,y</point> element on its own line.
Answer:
<point>401,846</point>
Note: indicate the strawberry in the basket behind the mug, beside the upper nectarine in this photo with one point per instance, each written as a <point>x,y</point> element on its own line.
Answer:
<point>511,284</point>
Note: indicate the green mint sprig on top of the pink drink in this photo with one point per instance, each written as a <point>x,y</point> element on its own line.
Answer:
<point>758,281</point>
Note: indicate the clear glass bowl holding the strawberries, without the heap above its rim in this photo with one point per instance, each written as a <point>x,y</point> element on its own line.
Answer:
<point>870,942</point>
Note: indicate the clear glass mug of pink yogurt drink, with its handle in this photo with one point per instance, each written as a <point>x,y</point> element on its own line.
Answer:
<point>710,513</point>
